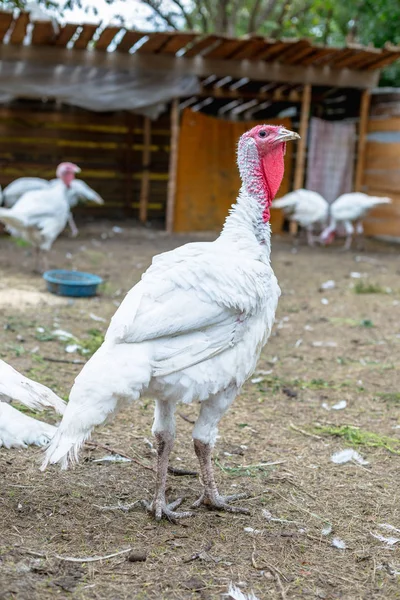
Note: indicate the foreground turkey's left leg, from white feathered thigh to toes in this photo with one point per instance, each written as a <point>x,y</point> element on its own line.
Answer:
<point>164,431</point>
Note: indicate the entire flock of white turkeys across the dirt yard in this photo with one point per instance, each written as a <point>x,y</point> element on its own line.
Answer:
<point>191,330</point>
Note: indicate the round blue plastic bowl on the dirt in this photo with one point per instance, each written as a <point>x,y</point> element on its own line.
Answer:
<point>72,283</point>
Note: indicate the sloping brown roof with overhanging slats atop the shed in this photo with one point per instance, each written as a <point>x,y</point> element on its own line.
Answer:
<point>20,31</point>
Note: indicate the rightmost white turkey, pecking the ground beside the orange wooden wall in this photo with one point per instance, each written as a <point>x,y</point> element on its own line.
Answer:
<point>346,210</point>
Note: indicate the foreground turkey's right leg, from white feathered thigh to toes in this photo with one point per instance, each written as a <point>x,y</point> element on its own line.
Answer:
<point>204,436</point>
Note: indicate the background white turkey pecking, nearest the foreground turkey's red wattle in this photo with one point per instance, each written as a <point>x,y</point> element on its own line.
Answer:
<point>308,209</point>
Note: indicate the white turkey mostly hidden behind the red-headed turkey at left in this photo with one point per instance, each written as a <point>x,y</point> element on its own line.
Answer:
<point>78,191</point>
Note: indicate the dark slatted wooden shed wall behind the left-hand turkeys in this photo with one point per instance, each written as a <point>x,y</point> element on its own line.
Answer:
<point>36,136</point>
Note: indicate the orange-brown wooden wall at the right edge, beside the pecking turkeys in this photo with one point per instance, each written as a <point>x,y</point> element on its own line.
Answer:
<point>381,176</point>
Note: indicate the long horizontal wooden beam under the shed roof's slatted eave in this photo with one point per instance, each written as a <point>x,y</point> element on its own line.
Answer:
<point>257,70</point>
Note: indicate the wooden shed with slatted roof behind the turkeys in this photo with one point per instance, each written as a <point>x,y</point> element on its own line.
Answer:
<point>178,168</point>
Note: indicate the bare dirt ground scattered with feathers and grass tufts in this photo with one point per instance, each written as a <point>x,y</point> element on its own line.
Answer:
<point>275,443</point>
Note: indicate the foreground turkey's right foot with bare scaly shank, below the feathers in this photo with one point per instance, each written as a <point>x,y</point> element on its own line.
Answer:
<point>211,497</point>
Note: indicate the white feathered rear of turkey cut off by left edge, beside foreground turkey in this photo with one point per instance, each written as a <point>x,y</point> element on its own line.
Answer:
<point>16,429</point>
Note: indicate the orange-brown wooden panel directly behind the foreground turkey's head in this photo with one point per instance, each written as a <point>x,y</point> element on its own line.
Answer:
<point>208,184</point>
